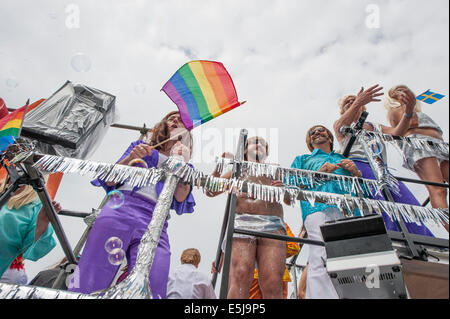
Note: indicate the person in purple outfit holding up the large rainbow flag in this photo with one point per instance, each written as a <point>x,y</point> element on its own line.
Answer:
<point>129,221</point>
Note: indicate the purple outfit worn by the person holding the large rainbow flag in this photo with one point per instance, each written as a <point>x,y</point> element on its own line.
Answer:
<point>128,222</point>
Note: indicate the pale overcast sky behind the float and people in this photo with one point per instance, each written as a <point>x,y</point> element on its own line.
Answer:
<point>290,60</point>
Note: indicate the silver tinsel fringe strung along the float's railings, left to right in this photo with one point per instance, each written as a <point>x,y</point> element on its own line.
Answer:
<point>209,183</point>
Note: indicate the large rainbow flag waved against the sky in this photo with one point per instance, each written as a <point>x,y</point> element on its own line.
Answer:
<point>202,90</point>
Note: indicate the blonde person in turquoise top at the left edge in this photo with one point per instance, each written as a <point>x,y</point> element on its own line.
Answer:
<point>24,228</point>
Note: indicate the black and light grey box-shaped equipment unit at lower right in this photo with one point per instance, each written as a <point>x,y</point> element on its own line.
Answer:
<point>361,261</point>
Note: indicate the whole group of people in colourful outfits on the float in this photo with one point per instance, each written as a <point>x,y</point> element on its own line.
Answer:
<point>25,231</point>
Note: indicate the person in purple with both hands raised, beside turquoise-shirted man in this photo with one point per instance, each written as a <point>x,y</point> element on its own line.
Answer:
<point>351,108</point>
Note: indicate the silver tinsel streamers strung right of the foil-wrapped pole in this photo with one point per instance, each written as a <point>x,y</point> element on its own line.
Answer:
<point>278,194</point>
